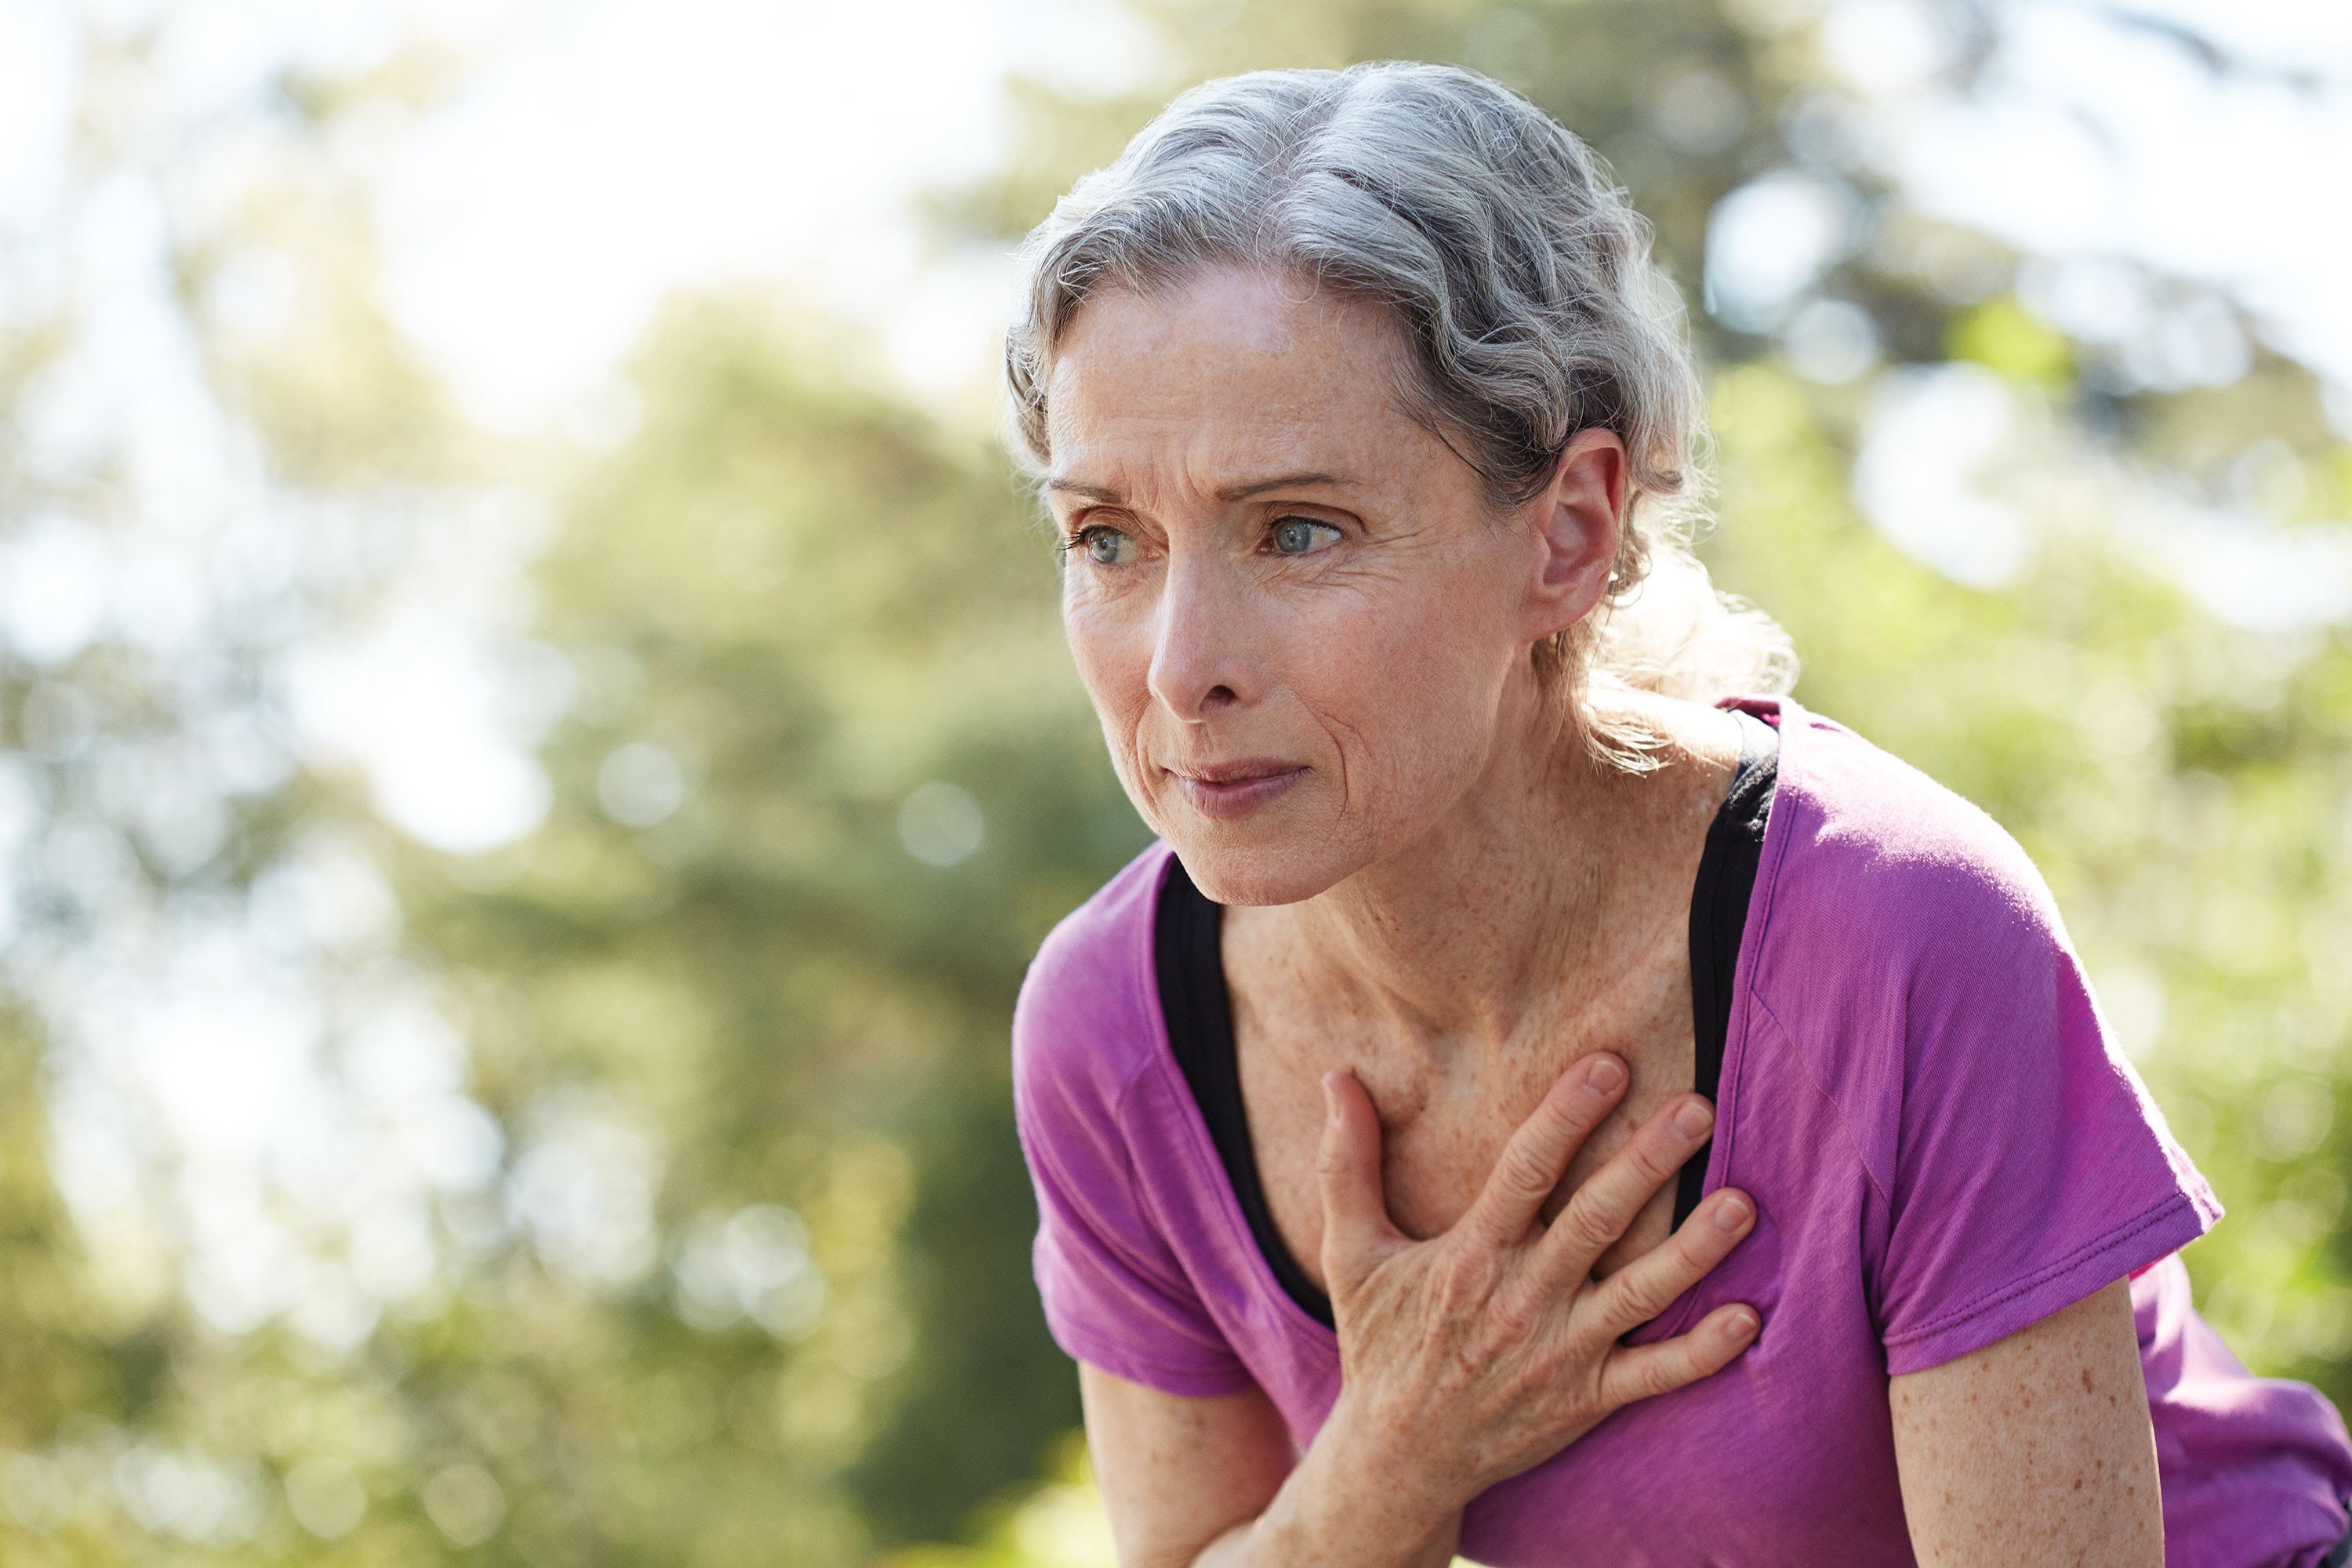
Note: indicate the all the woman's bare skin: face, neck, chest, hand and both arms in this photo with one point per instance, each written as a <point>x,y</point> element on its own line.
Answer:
<point>1271,561</point>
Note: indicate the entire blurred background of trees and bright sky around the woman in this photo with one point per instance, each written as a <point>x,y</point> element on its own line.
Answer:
<point>535,739</point>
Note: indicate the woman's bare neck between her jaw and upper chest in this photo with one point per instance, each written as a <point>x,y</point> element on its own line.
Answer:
<point>1495,916</point>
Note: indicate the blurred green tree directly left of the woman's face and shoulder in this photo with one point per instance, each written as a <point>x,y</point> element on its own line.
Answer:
<point>822,793</point>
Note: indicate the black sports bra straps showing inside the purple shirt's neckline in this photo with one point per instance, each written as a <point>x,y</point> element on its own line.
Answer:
<point>1201,1017</point>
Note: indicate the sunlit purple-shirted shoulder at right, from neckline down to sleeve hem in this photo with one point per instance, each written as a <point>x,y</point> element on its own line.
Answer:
<point>1923,979</point>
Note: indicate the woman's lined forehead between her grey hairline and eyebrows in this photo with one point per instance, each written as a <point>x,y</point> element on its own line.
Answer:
<point>1222,373</point>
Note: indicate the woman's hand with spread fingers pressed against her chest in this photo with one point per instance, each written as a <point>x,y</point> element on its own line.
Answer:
<point>1492,1348</point>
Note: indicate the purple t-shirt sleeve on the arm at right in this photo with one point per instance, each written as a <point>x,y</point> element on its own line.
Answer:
<point>2031,1165</point>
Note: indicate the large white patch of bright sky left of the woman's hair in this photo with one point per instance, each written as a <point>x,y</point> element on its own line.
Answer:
<point>620,149</point>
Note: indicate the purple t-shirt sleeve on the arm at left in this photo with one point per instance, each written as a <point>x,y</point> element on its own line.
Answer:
<point>1114,1289</point>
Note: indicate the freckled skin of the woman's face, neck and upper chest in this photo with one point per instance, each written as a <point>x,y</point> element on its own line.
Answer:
<point>1394,666</point>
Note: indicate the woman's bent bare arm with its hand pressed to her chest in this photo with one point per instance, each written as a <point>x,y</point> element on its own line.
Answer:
<point>1464,1360</point>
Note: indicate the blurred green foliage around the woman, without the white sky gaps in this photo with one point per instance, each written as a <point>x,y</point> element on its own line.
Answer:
<point>751,1280</point>
